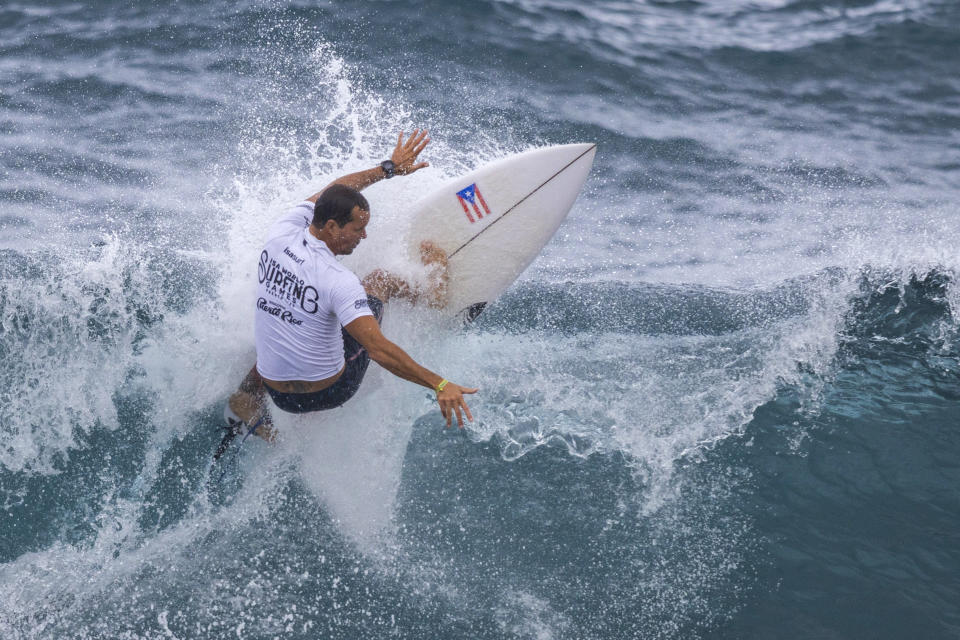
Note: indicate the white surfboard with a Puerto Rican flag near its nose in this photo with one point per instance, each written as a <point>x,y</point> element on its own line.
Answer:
<point>495,220</point>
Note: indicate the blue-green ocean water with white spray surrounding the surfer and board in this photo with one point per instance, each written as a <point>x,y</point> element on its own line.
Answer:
<point>723,403</point>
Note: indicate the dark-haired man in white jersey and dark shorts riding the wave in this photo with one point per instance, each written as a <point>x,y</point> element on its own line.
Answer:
<point>317,325</point>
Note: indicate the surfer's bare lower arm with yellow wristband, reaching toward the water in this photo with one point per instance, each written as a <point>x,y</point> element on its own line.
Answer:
<point>366,331</point>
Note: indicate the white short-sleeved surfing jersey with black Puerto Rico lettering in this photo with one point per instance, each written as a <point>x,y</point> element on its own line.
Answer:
<point>304,296</point>
